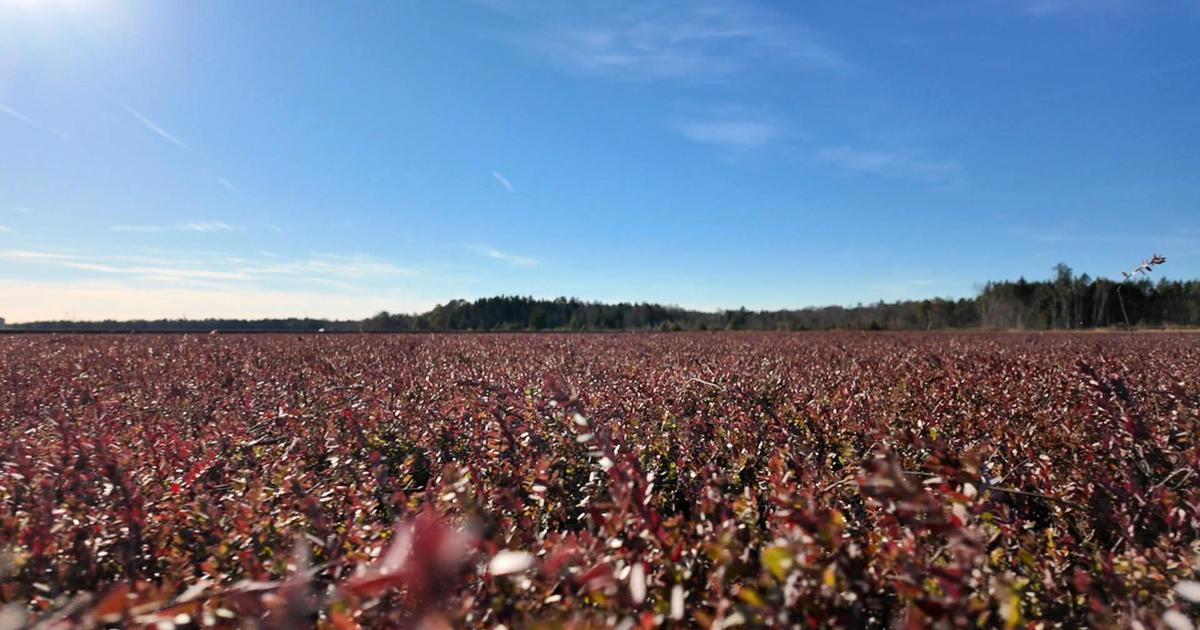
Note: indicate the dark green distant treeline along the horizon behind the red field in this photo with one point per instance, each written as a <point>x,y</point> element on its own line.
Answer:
<point>1067,302</point>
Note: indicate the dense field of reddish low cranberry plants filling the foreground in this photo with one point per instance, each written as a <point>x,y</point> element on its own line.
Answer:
<point>601,481</point>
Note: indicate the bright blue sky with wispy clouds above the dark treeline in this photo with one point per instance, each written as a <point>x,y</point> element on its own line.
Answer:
<point>161,159</point>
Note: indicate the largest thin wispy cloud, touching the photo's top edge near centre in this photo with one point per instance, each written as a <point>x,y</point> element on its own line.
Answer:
<point>673,40</point>
